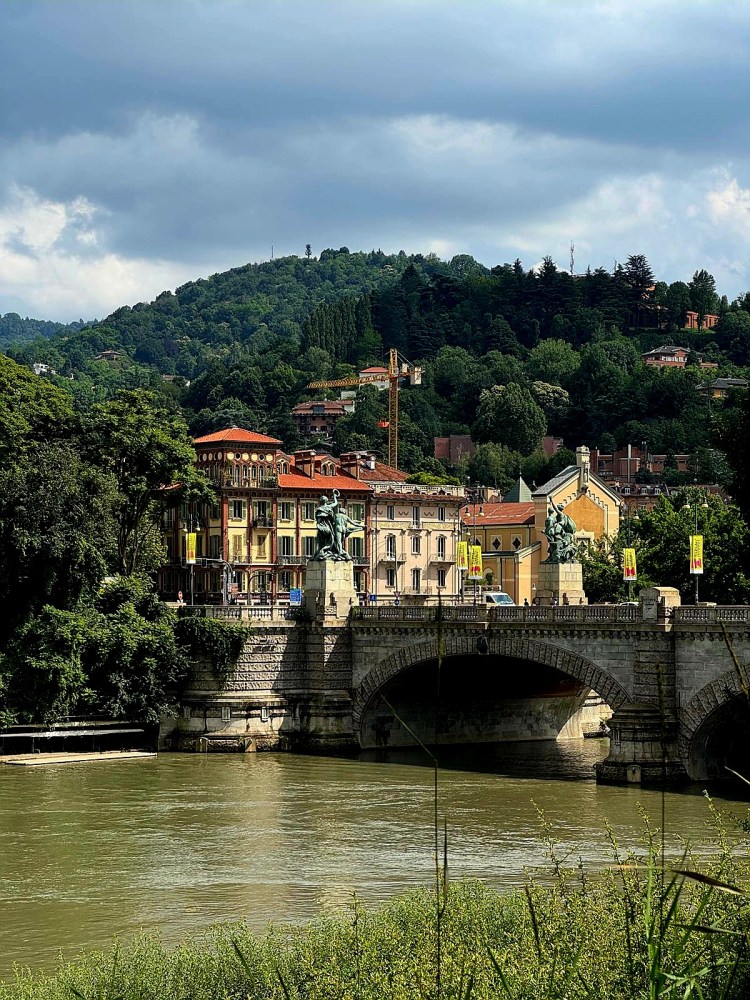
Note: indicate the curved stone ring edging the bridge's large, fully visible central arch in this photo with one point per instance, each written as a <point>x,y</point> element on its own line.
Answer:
<point>534,650</point>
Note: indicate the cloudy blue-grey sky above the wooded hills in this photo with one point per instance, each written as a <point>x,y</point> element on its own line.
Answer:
<point>148,142</point>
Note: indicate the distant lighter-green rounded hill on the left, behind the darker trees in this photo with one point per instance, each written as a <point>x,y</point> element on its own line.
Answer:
<point>255,308</point>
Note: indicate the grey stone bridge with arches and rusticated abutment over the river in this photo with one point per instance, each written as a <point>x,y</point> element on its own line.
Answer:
<point>673,680</point>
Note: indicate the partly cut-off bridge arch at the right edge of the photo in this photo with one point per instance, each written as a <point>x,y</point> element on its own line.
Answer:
<point>706,729</point>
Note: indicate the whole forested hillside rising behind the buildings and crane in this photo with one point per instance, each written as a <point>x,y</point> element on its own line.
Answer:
<point>508,354</point>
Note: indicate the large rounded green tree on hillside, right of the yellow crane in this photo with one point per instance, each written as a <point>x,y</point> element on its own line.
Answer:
<point>508,414</point>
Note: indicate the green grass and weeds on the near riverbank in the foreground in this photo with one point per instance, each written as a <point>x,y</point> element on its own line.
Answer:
<point>629,934</point>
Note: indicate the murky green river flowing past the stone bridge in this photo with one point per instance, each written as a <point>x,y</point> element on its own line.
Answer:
<point>177,842</point>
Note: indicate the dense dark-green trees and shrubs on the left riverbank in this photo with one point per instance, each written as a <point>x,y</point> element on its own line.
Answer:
<point>80,500</point>
